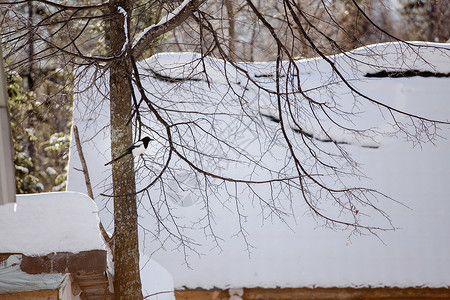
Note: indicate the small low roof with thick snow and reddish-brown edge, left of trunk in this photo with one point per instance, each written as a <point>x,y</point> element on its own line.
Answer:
<point>42,236</point>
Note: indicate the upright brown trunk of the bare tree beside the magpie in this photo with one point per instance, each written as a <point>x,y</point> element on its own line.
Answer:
<point>127,283</point>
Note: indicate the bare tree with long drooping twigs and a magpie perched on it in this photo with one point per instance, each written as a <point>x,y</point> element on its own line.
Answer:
<point>71,36</point>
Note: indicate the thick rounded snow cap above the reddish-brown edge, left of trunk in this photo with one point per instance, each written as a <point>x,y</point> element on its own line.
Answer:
<point>40,224</point>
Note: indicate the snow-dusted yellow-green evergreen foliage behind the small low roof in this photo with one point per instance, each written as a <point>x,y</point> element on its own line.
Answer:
<point>41,142</point>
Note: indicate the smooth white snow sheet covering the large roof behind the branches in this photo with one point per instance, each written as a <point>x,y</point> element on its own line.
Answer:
<point>298,253</point>
